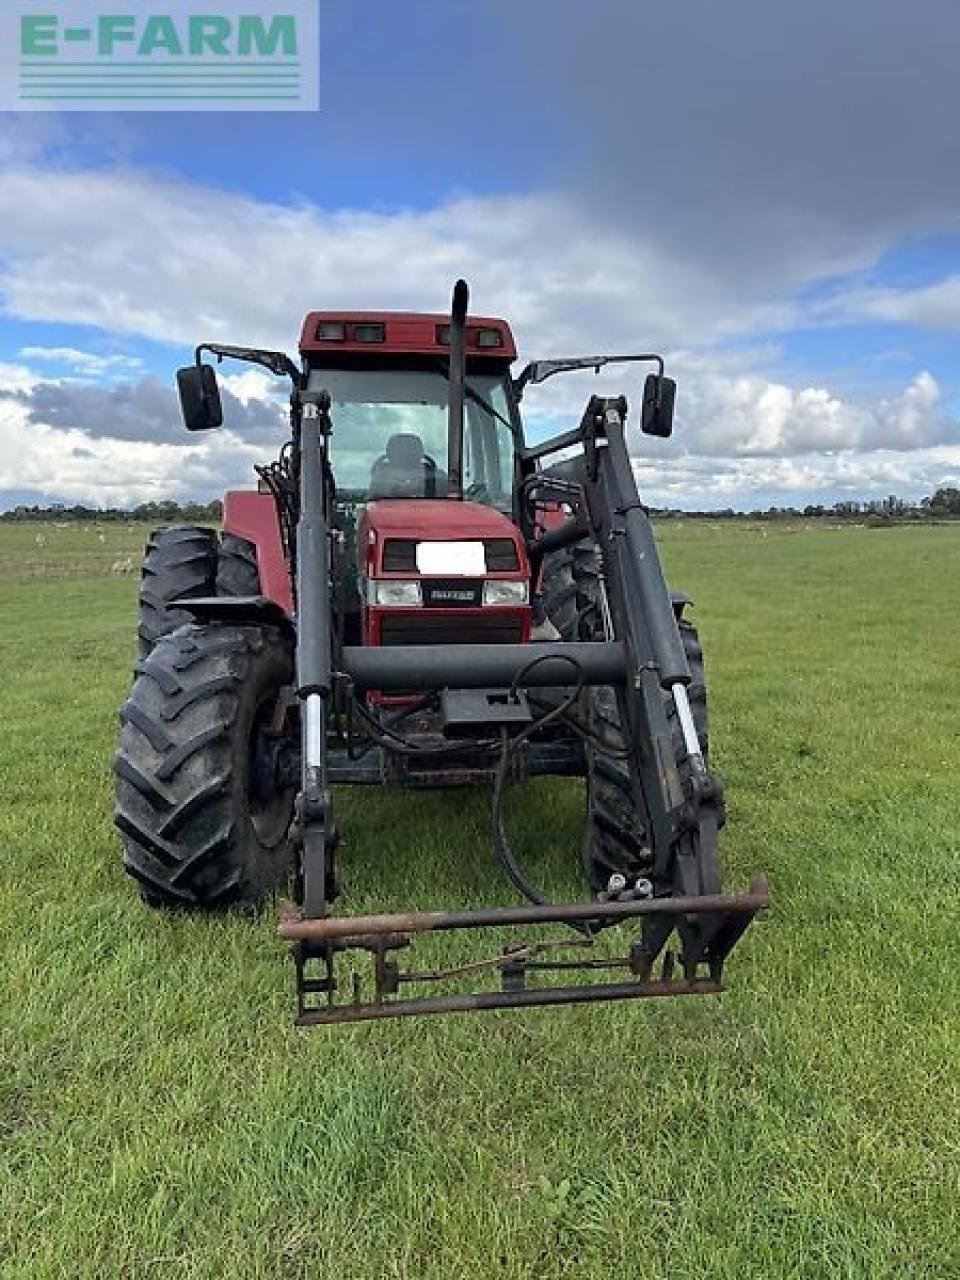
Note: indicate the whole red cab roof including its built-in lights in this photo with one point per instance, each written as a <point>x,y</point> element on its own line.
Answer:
<point>404,333</point>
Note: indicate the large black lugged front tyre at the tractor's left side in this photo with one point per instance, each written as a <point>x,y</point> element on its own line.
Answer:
<point>196,830</point>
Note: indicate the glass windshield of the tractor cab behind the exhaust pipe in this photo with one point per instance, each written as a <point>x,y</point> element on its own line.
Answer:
<point>390,435</point>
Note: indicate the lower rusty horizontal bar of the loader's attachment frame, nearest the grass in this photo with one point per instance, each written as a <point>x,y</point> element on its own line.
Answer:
<point>468,1004</point>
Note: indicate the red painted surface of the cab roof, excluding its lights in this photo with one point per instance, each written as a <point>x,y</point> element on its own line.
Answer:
<point>408,333</point>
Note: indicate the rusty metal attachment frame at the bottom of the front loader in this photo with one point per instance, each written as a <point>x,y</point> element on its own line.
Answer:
<point>705,930</point>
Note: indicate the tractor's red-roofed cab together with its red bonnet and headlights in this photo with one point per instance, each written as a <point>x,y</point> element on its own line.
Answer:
<point>426,500</point>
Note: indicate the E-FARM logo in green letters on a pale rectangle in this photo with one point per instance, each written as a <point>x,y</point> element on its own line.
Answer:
<point>179,56</point>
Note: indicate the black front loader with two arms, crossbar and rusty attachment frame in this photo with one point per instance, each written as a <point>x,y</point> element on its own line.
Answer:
<point>642,657</point>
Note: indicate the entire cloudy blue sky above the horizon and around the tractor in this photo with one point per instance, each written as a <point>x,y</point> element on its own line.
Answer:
<point>770,195</point>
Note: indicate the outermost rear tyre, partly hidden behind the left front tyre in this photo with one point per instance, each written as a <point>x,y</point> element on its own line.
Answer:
<point>179,563</point>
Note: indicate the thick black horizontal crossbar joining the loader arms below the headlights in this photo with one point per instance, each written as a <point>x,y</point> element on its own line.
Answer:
<point>420,669</point>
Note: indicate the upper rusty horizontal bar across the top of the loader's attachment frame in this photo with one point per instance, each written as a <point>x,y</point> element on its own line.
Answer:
<point>294,927</point>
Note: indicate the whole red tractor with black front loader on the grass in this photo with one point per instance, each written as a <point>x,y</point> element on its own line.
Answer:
<point>415,596</point>
